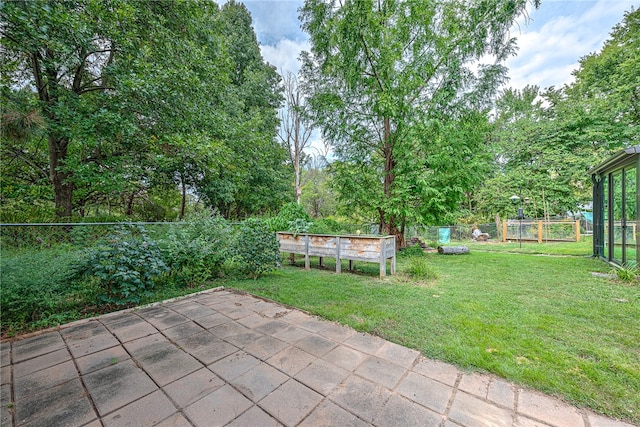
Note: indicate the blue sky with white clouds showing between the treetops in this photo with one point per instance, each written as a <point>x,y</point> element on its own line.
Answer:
<point>551,41</point>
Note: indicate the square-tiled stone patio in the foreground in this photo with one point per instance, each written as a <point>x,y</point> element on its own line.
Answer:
<point>224,358</point>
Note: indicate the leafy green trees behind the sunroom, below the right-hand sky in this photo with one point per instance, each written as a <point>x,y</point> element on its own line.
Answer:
<point>544,141</point>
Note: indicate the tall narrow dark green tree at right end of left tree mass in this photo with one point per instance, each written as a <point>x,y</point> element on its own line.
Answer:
<point>255,179</point>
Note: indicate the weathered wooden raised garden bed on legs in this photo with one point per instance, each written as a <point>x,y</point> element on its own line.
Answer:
<point>352,248</point>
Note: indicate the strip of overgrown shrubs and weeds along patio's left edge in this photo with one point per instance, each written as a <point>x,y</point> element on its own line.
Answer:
<point>128,265</point>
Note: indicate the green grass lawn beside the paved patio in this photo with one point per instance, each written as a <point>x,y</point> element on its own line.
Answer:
<point>540,321</point>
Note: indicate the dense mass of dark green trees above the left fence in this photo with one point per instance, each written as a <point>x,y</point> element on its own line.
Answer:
<point>140,96</point>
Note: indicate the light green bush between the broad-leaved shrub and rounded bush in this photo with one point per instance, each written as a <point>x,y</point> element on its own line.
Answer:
<point>197,250</point>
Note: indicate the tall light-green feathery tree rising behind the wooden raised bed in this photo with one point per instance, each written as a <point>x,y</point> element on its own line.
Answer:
<point>390,81</point>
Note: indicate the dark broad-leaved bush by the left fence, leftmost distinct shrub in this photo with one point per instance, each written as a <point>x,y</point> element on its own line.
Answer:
<point>125,264</point>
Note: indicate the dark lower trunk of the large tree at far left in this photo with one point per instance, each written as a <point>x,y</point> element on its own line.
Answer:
<point>62,188</point>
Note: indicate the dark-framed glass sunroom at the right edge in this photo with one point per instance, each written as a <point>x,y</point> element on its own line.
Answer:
<point>615,201</point>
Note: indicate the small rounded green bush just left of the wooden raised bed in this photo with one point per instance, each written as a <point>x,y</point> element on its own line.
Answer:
<point>255,248</point>
